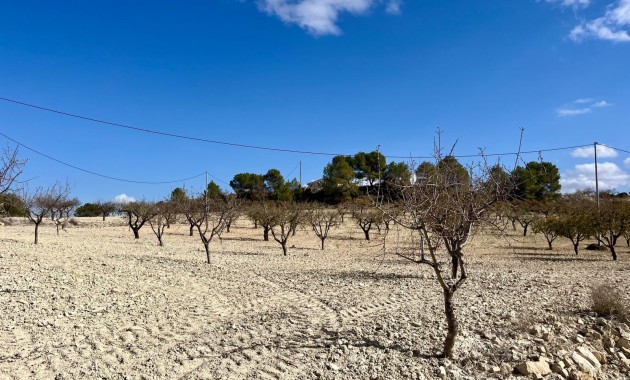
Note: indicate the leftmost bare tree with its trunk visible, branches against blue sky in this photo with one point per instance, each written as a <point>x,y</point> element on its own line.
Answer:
<point>40,203</point>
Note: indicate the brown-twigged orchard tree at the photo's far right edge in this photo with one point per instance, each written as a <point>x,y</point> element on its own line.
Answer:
<point>613,220</point>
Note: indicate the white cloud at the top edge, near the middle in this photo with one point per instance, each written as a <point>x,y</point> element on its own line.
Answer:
<point>319,17</point>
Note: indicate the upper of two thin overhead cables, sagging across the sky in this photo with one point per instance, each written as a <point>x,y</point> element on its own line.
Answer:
<point>259,147</point>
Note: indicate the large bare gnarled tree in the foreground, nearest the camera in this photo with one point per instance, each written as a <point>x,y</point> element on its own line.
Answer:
<point>445,209</point>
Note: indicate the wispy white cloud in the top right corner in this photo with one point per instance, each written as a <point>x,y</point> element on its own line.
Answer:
<point>612,26</point>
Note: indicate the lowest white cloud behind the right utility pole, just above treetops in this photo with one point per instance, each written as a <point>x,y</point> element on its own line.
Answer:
<point>610,176</point>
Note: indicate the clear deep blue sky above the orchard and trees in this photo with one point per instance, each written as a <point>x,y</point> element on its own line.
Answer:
<point>337,76</point>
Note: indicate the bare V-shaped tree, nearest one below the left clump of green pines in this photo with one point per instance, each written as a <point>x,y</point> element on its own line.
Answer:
<point>285,218</point>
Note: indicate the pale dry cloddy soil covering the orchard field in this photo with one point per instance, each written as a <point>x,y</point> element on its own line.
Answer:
<point>95,303</point>
